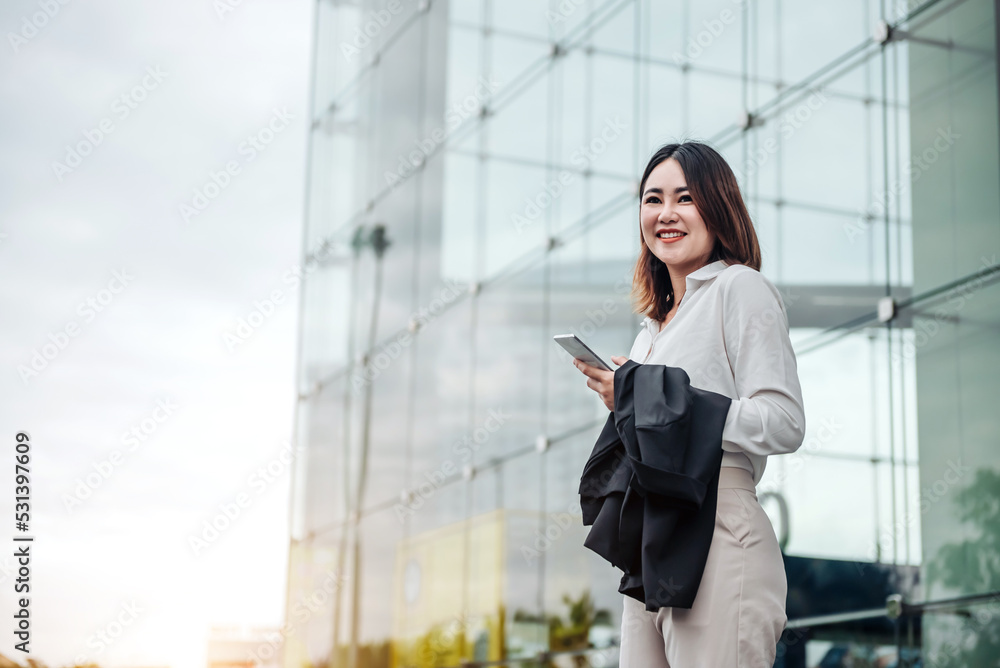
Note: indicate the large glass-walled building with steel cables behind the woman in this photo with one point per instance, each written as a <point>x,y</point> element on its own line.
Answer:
<point>472,191</point>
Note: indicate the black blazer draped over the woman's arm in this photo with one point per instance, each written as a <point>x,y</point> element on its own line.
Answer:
<point>650,487</point>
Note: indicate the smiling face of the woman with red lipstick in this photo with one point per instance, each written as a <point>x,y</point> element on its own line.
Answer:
<point>667,208</point>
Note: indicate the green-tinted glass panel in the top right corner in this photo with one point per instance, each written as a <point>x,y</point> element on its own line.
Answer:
<point>954,142</point>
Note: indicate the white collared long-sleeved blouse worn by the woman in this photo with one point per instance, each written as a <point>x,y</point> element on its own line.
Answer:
<point>730,334</point>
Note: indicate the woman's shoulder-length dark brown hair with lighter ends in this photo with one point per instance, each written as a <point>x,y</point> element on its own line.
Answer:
<point>714,190</point>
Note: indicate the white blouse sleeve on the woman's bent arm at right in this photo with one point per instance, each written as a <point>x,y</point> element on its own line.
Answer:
<point>768,417</point>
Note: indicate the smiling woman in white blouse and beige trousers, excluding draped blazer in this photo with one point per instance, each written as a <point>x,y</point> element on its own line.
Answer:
<point>711,312</point>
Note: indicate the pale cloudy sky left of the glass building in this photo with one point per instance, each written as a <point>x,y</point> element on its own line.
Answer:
<point>151,198</point>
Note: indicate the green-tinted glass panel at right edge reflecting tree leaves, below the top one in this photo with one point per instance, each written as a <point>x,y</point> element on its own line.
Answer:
<point>956,356</point>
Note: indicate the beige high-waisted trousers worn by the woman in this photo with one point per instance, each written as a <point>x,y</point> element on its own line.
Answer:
<point>739,612</point>
